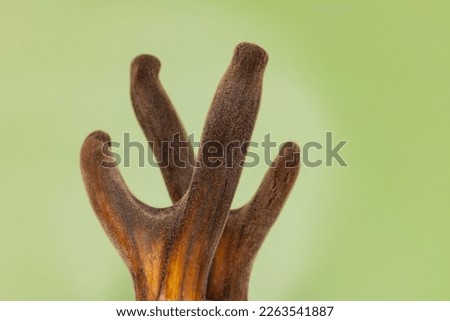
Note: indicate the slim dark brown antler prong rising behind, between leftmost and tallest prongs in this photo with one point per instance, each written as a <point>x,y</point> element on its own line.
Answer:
<point>161,125</point>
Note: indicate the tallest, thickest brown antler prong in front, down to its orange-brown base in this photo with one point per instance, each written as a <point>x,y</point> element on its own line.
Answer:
<point>206,204</point>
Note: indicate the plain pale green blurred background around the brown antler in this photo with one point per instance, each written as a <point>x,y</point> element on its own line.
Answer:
<point>375,73</point>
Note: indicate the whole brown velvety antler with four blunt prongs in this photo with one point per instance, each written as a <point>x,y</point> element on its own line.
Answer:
<point>174,253</point>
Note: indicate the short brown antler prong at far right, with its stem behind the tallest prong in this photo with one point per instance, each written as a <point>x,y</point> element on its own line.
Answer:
<point>248,226</point>
